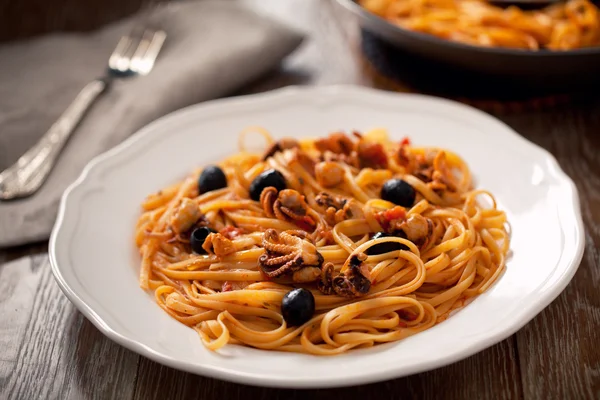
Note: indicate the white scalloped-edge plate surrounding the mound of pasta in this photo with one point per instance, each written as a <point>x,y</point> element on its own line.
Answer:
<point>96,264</point>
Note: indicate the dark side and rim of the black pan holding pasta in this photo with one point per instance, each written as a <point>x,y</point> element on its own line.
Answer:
<point>556,71</point>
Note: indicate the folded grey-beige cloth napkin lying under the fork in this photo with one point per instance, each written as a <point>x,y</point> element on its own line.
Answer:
<point>212,48</point>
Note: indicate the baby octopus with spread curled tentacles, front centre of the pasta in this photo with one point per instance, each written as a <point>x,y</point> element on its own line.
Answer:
<point>289,252</point>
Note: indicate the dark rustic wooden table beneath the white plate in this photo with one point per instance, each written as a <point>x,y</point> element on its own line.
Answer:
<point>49,350</point>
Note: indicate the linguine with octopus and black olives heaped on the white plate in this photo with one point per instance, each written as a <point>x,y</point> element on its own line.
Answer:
<point>321,246</point>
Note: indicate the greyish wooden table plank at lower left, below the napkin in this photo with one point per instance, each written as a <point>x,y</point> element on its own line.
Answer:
<point>49,350</point>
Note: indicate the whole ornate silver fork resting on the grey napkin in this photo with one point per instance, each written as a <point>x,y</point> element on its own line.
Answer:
<point>135,54</point>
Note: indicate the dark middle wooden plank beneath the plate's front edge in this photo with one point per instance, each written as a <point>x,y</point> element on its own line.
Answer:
<point>491,374</point>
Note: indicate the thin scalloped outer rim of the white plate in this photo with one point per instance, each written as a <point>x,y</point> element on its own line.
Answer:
<point>257,379</point>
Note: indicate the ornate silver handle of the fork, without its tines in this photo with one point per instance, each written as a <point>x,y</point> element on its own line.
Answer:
<point>30,171</point>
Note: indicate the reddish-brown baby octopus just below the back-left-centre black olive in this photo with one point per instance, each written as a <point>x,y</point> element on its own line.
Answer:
<point>289,205</point>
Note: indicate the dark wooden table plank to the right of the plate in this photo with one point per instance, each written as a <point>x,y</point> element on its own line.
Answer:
<point>558,353</point>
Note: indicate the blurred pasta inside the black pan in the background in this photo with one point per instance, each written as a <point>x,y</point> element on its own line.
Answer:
<point>561,26</point>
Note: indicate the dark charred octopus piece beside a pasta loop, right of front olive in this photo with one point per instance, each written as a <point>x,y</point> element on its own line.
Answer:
<point>353,280</point>
